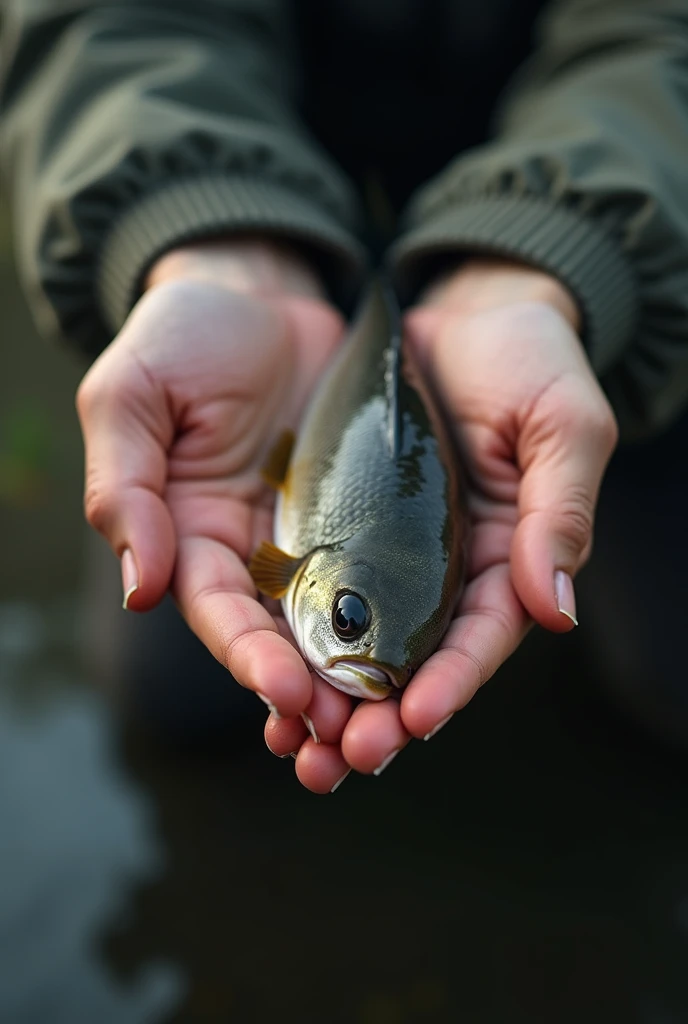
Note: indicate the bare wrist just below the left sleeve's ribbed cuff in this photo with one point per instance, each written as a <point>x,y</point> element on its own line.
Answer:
<point>247,266</point>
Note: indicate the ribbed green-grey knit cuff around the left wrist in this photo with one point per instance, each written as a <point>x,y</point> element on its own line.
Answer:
<point>211,205</point>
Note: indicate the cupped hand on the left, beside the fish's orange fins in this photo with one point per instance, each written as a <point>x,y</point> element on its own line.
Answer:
<point>179,414</point>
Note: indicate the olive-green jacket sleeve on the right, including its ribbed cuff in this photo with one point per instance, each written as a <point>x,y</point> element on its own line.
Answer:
<point>587,178</point>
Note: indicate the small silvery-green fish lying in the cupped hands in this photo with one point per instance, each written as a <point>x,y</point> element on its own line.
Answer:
<point>371,523</point>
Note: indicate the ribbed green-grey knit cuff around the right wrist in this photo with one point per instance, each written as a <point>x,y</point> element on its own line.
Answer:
<point>571,247</point>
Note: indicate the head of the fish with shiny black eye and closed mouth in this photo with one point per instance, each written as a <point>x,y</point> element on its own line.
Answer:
<point>359,623</point>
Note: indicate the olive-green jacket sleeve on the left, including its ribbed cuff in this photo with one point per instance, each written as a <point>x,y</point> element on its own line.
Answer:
<point>128,127</point>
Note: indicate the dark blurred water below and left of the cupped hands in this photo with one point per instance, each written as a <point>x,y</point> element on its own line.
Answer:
<point>531,865</point>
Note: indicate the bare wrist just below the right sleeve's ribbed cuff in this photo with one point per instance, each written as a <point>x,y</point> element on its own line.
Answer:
<point>480,285</point>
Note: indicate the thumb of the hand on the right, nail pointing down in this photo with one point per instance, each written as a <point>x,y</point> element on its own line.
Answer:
<point>564,451</point>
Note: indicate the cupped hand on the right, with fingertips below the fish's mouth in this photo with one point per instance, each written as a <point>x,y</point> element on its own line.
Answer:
<point>500,343</point>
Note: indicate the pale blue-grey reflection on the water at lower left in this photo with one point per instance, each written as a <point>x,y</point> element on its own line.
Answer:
<point>77,838</point>
